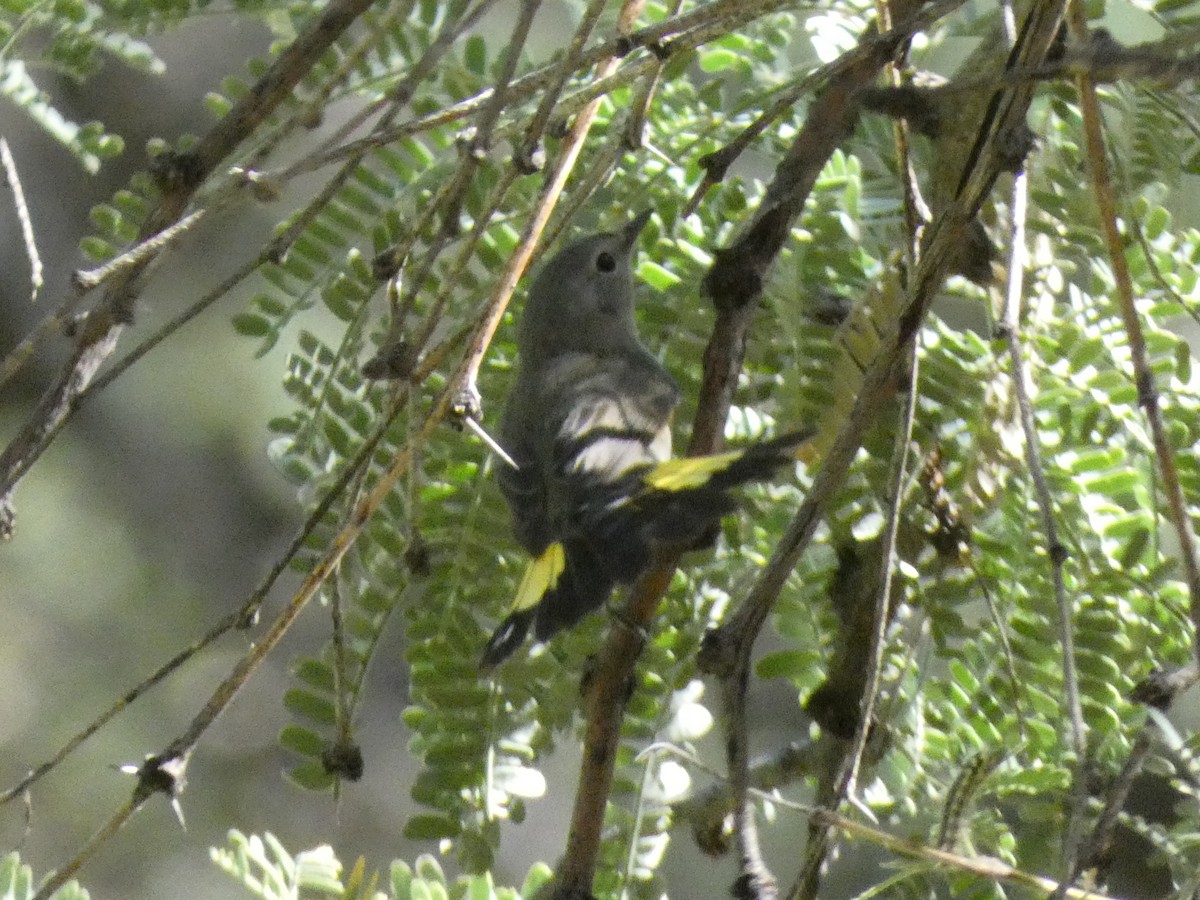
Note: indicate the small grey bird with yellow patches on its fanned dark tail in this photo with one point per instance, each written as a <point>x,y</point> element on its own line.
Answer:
<point>593,491</point>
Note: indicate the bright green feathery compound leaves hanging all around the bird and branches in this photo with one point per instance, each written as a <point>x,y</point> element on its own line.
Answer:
<point>973,712</point>
